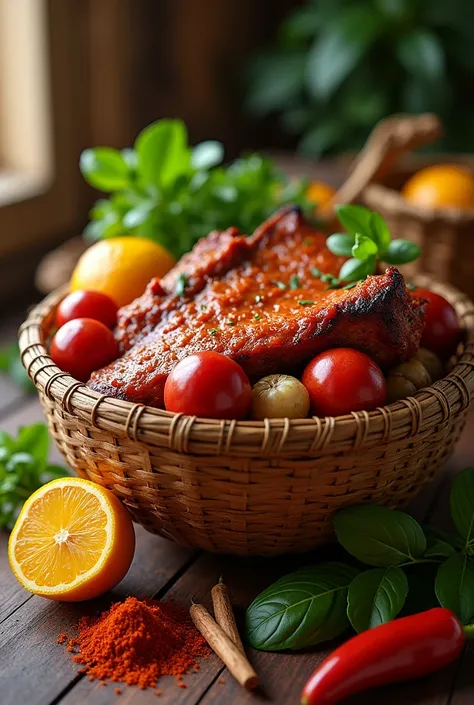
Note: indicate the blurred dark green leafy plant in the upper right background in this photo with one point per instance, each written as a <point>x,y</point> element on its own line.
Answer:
<point>341,65</point>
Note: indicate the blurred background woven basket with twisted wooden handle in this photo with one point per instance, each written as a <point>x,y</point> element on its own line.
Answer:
<point>445,235</point>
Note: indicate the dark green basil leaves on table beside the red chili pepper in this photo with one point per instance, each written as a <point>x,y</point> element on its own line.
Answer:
<point>410,569</point>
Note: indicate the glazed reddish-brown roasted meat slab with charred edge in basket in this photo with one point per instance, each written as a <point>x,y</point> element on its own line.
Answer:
<point>261,301</point>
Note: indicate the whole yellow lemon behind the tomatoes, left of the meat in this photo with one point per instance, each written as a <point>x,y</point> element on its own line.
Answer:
<point>121,267</point>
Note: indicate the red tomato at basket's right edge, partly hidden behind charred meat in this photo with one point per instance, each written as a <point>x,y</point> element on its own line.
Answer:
<point>442,331</point>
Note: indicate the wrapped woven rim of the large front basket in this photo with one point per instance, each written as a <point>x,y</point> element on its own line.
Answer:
<point>272,437</point>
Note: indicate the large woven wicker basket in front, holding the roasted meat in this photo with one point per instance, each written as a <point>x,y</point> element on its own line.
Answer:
<point>250,487</point>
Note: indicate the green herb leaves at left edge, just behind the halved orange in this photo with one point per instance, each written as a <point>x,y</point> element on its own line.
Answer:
<point>24,468</point>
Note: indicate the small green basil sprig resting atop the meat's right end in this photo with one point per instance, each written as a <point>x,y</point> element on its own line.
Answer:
<point>367,242</point>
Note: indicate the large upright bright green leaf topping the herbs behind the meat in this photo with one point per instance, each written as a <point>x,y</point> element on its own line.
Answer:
<point>163,152</point>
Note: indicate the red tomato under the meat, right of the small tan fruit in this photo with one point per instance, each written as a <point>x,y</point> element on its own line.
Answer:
<point>343,380</point>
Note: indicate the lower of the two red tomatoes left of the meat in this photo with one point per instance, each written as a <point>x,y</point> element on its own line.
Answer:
<point>82,346</point>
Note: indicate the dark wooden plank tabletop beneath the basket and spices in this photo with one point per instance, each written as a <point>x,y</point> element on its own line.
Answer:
<point>34,670</point>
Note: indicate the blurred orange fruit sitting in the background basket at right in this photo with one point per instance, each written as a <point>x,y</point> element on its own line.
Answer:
<point>441,186</point>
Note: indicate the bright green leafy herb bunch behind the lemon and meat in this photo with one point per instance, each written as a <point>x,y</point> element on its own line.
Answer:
<point>172,193</point>
